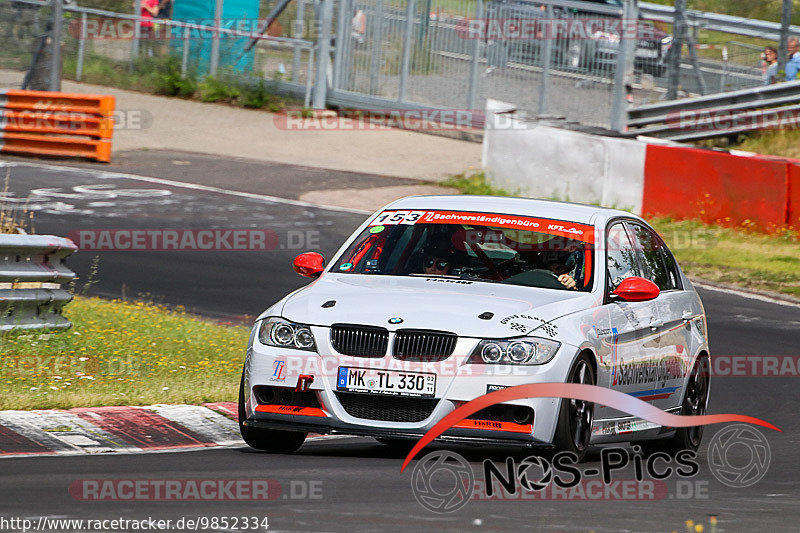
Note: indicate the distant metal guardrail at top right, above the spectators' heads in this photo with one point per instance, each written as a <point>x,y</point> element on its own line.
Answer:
<point>718,22</point>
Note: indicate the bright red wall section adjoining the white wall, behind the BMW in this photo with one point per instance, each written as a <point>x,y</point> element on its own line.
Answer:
<point>715,187</point>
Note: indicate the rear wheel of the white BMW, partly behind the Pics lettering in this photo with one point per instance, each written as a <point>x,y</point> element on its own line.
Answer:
<point>694,404</point>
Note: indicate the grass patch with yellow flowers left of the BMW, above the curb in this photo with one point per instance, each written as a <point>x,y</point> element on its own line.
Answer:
<point>121,353</point>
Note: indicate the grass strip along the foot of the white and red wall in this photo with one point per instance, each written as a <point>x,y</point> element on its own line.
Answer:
<point>740,257</point>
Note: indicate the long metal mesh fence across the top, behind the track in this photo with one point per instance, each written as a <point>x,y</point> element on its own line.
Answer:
<point>547,58</point>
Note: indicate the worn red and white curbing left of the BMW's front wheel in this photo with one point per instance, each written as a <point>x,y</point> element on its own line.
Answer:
<point>101,430</point>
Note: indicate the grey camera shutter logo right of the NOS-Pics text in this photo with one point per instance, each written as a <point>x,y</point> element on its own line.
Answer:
<point>739,440</point>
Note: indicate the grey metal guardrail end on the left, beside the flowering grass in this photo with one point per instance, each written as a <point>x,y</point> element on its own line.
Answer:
<point>32,271</point>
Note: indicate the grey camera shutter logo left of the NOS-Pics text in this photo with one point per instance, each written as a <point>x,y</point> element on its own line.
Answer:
<point>442,482</point>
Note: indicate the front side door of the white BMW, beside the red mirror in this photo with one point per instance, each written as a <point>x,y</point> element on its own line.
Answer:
<point>631,336</point>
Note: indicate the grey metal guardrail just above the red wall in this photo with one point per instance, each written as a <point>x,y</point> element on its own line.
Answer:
<point>720,114</point>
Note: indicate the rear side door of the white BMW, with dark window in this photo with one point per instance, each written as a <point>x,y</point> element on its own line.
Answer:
<point>675,309</point>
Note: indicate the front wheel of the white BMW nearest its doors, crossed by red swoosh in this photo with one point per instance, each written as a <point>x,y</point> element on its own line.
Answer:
<point>574,426</point>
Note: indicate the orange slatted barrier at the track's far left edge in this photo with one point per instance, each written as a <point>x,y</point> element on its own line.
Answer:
<point>56,124</point>
